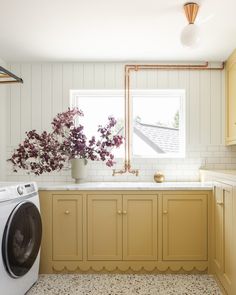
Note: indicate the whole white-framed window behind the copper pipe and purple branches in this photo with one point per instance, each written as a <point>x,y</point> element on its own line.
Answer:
<point>158,119</point>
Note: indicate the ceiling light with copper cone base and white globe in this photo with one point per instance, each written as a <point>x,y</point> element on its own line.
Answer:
<point>190,36</point>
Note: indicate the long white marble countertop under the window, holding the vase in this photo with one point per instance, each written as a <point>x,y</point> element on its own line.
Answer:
<point>126,186</point>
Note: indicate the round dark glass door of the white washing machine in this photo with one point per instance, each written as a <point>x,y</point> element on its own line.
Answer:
<point>21,239</point>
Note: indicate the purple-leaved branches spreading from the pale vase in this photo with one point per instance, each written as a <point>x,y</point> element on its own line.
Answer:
<point>47,152</point>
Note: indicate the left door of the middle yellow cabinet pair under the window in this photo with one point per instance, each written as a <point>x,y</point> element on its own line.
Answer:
<point>104,227</point>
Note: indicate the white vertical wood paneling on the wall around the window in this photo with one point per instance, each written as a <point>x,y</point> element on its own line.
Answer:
<point>45,92</point>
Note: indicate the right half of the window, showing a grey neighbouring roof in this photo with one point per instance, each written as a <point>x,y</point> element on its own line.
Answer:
<point>158,123</point>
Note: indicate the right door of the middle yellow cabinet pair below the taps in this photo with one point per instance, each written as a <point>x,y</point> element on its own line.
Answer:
<point>139,227</point>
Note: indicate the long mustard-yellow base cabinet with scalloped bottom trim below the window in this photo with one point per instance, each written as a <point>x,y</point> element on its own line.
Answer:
<point>124,231</point>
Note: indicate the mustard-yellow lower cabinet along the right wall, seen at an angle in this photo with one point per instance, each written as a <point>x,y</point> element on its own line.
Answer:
<point>224,252</point>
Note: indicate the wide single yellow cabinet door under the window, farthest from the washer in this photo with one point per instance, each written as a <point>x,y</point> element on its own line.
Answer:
<point>184,227</point>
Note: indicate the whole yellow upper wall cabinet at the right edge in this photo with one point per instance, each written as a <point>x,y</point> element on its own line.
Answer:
<point>231,100</point>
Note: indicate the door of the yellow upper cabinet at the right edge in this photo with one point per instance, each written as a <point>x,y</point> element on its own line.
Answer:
<point>231,105</point>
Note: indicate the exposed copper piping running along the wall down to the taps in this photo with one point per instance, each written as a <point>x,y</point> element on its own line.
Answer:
<point>127,71</point>
